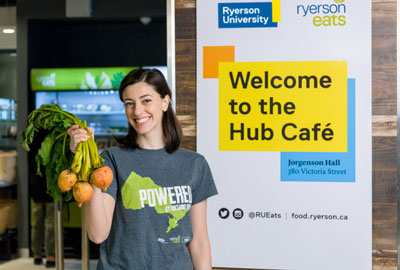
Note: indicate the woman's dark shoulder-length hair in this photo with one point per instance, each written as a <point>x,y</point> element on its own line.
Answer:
<point>170,125</point>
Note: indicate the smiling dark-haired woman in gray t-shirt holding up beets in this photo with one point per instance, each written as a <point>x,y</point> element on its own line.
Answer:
<point>153,215</point>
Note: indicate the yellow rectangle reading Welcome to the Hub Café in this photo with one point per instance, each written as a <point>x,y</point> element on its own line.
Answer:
<point>283,106</point>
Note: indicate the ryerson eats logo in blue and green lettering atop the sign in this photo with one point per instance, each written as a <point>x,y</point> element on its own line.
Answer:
<point>333,14</point>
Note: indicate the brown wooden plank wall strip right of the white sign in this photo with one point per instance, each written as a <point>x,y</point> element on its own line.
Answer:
<point>384,143</point>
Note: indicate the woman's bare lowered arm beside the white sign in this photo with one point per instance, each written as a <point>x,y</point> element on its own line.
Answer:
<point>199,247</point>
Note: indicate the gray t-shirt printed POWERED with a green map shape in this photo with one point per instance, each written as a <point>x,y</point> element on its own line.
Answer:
<point>153,192</point>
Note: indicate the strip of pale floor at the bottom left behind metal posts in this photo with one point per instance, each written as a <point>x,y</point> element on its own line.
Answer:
<point>27,264</point>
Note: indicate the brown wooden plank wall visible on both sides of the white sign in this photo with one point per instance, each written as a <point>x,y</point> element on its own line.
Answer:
<point>384,110</point>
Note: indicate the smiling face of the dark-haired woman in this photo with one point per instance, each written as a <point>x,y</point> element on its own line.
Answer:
<point>144,108</point>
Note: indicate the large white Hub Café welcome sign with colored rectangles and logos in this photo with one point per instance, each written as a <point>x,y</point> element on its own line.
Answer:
<point>284,120</point>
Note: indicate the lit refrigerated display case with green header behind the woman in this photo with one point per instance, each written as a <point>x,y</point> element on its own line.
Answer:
<point>89,93</point>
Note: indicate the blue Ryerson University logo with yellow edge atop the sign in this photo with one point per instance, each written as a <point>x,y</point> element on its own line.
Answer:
<point>248,15</point>
